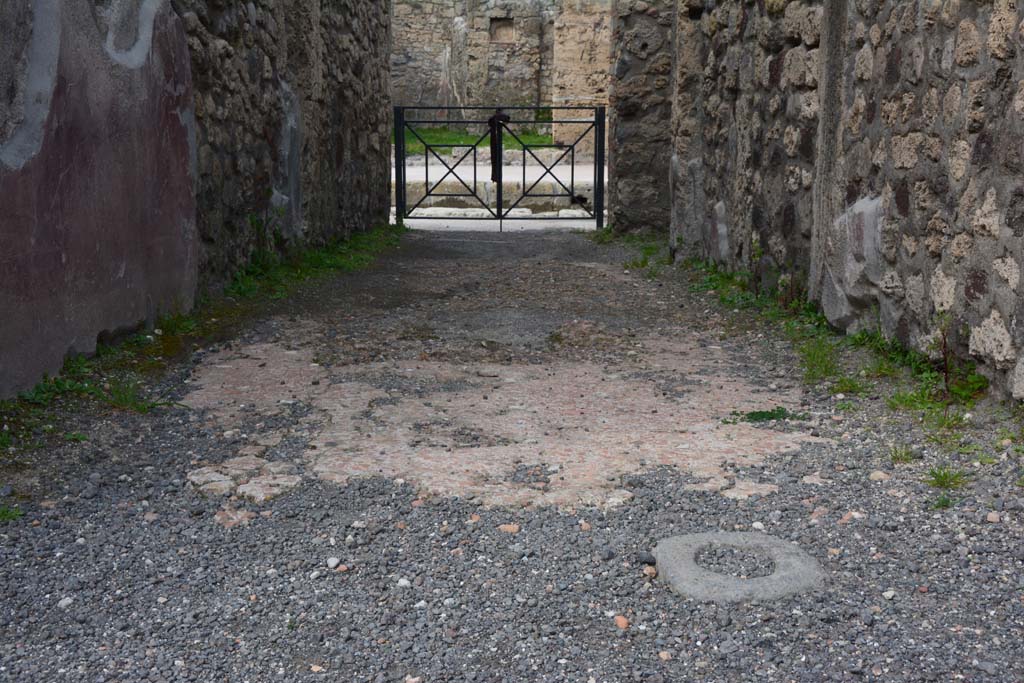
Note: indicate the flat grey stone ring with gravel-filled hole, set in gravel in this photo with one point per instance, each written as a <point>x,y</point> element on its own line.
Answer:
<point>796,572</point>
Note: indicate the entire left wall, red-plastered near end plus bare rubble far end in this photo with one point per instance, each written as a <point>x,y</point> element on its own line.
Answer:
<point>148,148</point>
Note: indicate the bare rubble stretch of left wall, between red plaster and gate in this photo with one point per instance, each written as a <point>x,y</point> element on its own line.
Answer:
<point>294,123</point>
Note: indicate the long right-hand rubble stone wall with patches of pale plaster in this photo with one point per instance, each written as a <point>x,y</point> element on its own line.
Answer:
<point>871,149</point>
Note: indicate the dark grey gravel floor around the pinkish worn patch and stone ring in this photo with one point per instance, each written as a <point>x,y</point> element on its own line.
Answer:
<point>119,573</point>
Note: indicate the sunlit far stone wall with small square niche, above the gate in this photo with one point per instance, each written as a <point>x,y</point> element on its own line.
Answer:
<point>514,53</point>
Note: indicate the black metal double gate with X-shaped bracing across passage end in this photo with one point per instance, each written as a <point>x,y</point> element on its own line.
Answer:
<point>500,129</point>
